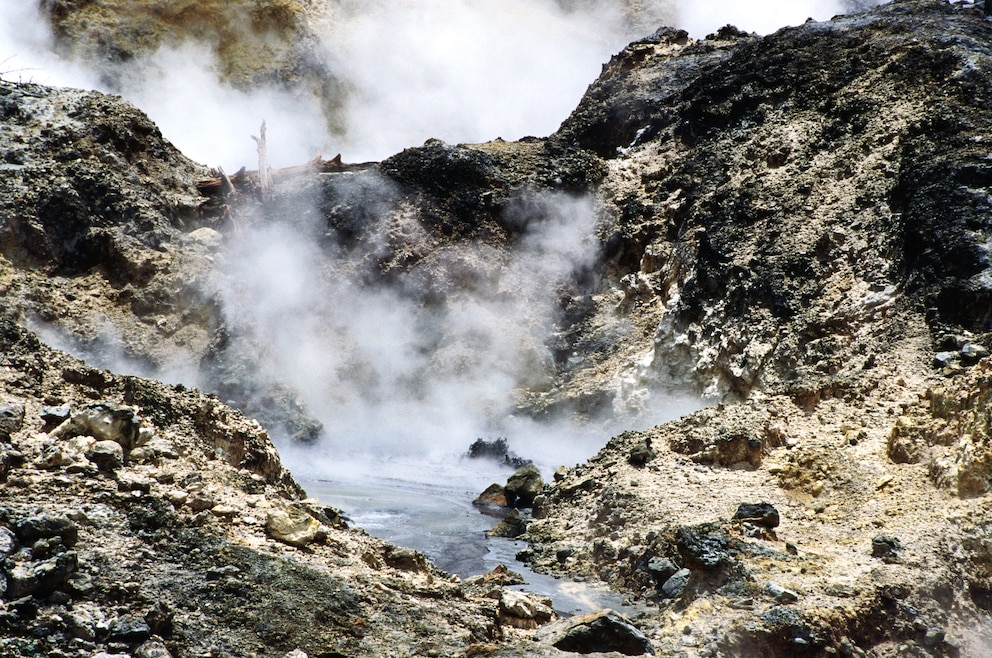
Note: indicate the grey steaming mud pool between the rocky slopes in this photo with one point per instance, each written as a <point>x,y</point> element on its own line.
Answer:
<point>435,516</point>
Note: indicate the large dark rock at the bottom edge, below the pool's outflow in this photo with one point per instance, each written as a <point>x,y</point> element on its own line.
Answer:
<point>597,632</point>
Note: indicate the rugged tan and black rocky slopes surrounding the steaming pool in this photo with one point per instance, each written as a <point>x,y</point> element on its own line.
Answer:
<point>794,225</point>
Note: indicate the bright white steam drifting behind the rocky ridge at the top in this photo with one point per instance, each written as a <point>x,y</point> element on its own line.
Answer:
<point>462,71</point>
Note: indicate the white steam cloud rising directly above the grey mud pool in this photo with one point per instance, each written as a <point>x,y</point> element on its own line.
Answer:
<point>421,366</point>
